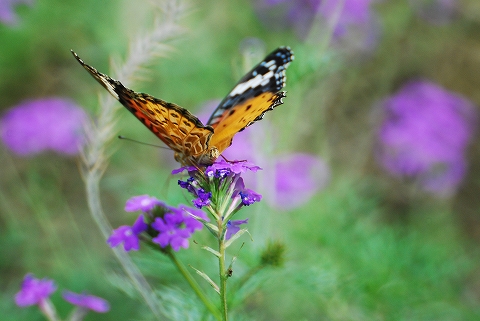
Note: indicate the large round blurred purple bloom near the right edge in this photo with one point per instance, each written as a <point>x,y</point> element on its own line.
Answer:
<point>425,134</point>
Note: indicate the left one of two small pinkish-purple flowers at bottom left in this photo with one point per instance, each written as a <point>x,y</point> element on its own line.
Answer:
<point>34,291</point>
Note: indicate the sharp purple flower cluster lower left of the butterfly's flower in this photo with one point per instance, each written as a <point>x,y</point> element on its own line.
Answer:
<point>162,224</point>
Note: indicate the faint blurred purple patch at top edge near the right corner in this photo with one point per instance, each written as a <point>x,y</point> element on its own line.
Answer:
<point>437,12</point>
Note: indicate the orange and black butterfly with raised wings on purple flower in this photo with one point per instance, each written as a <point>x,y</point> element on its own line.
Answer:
<point>194,143</point>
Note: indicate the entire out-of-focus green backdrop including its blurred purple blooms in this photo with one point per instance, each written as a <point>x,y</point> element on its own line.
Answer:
<point>371,167</point>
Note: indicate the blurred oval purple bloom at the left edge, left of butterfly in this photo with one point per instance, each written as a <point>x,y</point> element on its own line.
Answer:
<point>44,124</point>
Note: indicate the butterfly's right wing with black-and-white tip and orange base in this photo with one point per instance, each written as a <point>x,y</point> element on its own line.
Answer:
<point>255,94</point>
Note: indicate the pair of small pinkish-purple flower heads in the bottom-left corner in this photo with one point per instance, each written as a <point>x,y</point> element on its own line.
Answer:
<point>37,292</point>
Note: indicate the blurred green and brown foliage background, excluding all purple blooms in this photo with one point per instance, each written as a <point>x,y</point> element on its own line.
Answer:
<point>368,247</point>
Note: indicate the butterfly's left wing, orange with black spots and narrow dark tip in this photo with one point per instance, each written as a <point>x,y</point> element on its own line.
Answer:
<point>175,126</point>
